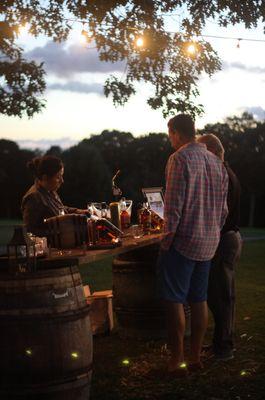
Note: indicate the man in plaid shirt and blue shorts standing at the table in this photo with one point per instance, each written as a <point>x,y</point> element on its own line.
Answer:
<point>195,211</point>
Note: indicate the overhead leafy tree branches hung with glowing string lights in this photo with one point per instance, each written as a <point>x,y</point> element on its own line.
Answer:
<point>114,26</point>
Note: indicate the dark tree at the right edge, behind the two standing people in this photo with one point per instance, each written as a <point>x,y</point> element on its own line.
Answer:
<point>244,142</point>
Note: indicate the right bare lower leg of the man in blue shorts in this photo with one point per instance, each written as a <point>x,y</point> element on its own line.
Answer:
<point>199,322</point>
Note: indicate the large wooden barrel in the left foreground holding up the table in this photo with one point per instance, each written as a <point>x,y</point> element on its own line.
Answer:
<point>45,336</point>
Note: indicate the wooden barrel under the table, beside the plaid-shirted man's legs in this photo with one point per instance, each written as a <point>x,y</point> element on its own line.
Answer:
<point>139,311</point>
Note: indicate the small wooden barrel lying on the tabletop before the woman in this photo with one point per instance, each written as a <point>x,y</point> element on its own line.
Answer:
<point>67,231</point>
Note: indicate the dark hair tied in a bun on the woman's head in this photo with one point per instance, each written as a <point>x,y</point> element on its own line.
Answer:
<point>46,165</point>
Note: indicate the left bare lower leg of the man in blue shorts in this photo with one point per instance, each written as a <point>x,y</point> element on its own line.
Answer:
<point>176,328</point>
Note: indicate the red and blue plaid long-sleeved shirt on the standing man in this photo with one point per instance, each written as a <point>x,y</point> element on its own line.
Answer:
<point>195,201</point>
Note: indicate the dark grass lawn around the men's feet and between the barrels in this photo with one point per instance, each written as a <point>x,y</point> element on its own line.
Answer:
<point>242,378</point>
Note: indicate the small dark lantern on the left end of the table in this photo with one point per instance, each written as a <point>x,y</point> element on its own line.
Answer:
<point>21,251</point>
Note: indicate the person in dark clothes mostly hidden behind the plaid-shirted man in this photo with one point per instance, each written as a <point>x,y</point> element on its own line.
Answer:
<point>221,287</point>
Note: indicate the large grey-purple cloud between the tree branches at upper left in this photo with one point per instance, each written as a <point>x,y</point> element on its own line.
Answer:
<point>66,61</point>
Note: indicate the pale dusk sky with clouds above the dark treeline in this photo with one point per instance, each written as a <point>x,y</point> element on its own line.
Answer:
<point>76,106</point>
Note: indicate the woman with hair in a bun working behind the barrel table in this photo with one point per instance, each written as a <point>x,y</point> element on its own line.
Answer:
<point>42,200</point>
